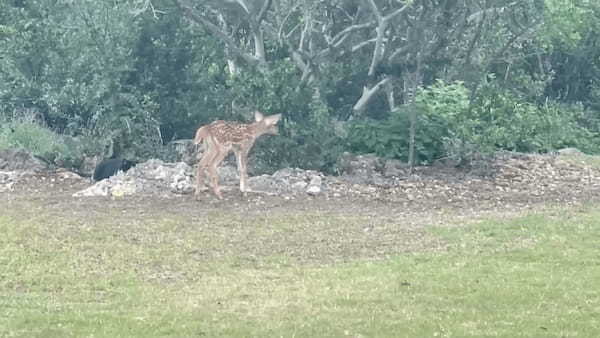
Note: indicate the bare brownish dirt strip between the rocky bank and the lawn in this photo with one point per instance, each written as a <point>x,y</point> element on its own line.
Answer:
<point>365,222</point>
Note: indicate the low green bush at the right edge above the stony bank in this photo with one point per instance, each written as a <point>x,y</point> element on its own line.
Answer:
<point>498,119</point>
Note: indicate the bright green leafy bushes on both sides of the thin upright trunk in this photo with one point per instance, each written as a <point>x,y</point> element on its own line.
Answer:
<point>450,124</point>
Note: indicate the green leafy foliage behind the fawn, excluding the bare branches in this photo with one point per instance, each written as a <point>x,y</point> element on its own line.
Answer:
<point>133,80</point>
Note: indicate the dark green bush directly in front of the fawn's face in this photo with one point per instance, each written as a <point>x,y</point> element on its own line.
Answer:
<point>308,139</point>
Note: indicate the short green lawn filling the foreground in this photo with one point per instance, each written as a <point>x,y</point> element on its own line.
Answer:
<point>533,275</point>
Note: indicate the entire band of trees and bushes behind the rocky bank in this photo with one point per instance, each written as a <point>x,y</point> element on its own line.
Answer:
<point>415,80</point>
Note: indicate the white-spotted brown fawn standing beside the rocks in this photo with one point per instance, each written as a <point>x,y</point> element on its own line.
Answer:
<point>221,137</point>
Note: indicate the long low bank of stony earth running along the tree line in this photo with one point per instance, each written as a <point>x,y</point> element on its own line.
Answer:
<point>508,179</point>
